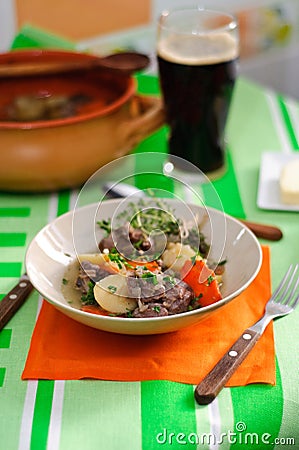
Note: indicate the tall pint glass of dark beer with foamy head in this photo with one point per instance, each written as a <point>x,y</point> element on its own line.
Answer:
<point>197,51</point>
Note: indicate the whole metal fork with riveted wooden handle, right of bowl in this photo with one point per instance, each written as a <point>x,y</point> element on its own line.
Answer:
<point>283,301</point>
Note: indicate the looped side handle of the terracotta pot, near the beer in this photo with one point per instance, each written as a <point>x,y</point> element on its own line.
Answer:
<point>147,116</point>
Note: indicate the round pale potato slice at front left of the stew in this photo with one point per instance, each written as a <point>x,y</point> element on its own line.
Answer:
<point>111,293</point>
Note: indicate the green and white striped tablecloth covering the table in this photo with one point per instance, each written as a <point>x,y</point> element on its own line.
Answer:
<point>101,415</point>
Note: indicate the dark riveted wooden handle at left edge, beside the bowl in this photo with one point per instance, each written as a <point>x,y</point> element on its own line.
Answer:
<point>14,299</point>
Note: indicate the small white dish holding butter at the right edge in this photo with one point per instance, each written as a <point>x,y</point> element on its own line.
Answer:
<point>268,191</point>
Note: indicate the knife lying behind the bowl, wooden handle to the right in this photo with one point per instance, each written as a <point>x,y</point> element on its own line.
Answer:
<point>119,190</point>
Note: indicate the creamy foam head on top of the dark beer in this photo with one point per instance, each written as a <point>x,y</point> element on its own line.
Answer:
<point>199,49</point>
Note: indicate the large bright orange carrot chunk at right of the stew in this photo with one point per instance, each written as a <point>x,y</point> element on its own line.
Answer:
<point>203,282</point>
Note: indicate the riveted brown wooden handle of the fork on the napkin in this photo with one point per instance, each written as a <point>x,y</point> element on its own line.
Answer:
<point>208,389</point>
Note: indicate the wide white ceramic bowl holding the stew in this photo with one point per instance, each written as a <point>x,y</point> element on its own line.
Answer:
<point>53,249</point>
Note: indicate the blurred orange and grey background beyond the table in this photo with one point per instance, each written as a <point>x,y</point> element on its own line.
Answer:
<point>269,30</point>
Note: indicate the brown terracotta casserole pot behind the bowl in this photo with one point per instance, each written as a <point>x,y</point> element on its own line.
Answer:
<point>49,154</point>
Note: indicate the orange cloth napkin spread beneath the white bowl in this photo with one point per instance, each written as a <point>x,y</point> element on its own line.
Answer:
<point>62,348</point>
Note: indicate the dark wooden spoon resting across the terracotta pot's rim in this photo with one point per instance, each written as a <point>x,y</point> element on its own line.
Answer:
<point>123,63</point>
